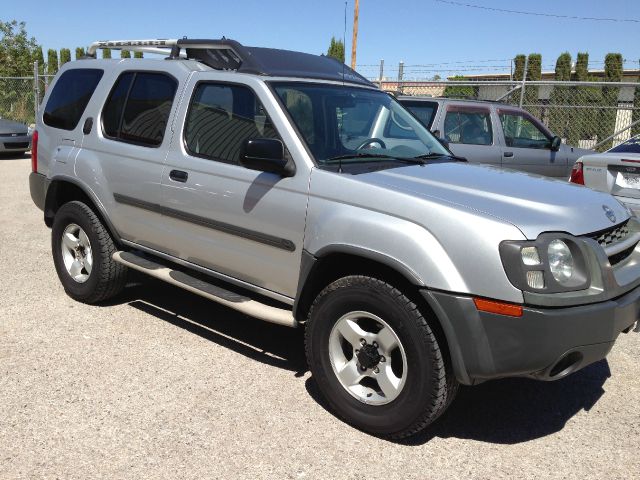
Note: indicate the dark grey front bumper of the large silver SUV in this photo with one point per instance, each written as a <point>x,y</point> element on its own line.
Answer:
<point>545,343</point>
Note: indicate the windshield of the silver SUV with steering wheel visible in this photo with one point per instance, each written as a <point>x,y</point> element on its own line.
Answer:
<point>355,125</point>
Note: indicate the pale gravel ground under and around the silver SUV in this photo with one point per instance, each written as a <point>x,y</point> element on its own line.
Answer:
<point>160,383</point>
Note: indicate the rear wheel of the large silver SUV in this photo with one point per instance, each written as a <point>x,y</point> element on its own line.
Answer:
<point>88,274</point>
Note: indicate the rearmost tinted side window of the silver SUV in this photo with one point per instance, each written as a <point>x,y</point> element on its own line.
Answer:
<point>70,97</point>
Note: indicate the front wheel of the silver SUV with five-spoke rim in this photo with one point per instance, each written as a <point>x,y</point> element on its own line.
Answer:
<point>409,391</point>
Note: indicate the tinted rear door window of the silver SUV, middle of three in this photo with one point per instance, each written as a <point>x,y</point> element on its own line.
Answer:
<point>137,110</point>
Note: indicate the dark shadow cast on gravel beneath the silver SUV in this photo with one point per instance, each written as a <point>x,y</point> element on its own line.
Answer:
<point>503,411</point>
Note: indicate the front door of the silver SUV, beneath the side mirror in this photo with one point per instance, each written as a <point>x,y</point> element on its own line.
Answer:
<point>244,224</point>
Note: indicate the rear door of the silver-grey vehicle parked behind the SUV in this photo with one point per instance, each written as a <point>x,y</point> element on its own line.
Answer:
<point>470,132</point>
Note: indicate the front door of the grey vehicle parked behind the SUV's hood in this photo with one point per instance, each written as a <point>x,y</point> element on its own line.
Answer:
<point>527,145</point>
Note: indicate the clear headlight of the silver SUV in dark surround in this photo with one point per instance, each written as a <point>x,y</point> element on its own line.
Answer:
<point>551,264</point>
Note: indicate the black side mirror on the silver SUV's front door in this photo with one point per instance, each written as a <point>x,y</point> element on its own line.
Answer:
<point>265,155</point>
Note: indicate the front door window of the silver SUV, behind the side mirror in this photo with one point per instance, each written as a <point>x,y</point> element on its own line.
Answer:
<point>221,118</point>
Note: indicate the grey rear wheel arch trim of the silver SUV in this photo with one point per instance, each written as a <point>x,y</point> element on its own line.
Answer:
<point>63,190</point>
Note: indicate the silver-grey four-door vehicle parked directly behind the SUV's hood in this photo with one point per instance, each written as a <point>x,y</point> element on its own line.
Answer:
<point>494,133</point>
